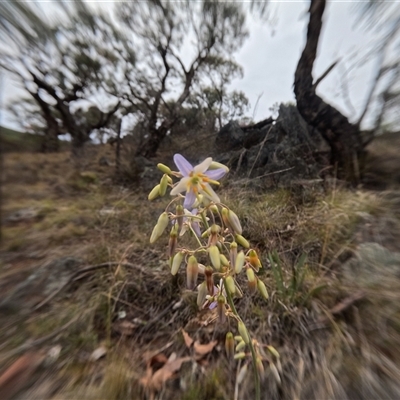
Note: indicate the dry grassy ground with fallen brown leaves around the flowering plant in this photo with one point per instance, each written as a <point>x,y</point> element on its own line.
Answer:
<point>89,309</point>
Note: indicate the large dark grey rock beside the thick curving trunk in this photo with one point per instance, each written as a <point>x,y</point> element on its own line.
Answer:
<point>275,152</point>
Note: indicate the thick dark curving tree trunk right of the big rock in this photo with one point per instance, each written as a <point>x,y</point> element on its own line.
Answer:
<point>344,138</point>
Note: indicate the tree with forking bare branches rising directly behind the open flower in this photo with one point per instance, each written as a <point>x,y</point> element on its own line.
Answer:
<point>161,80</point>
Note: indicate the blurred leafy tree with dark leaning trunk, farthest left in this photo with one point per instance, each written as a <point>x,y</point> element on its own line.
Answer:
<point>60,61</point>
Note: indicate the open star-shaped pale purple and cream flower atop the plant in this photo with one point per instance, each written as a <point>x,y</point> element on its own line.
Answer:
<point>196,180</point>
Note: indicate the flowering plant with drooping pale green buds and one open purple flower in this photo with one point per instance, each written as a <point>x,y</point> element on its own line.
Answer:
<point>219,254</point>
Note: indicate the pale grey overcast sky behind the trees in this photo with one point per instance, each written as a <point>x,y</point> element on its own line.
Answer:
<point>270,55</point>
